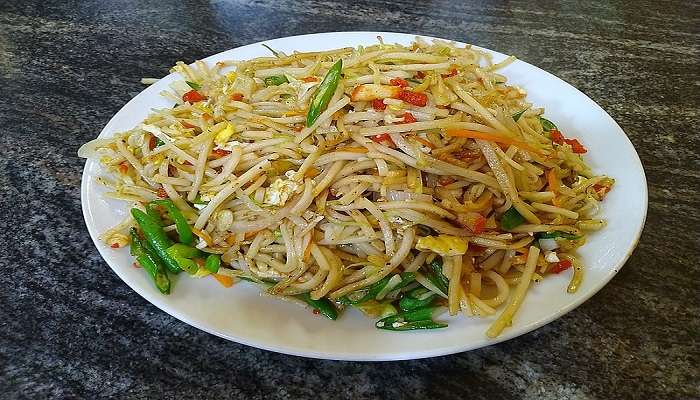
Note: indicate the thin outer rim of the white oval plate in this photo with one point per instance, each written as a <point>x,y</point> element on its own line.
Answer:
<point>340,356</point>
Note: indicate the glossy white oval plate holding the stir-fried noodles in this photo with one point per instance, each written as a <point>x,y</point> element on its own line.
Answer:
<point>242,315</point>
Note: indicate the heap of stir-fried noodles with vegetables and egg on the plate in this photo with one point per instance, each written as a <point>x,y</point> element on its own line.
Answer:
<point>415,174</point>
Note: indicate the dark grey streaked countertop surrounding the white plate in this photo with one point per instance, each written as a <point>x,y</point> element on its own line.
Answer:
<point>70,328</point>
